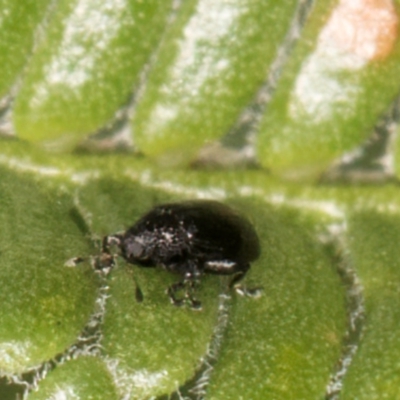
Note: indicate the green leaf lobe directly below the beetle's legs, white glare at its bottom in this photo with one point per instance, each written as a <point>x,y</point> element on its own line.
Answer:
<point>154,346</point>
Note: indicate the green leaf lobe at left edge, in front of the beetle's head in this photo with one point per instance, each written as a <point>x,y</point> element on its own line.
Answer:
<point>44,304</point>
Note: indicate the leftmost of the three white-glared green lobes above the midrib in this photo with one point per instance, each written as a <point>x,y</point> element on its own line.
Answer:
<point>87,65</point>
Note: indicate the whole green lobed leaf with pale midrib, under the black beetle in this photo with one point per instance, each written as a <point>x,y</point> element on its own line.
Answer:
<point>327,319</point>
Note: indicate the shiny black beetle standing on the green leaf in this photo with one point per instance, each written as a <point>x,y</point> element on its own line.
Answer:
<point>189,238</point>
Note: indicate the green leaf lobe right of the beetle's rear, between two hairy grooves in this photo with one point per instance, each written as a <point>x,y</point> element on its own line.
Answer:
<point>284,344</point>
